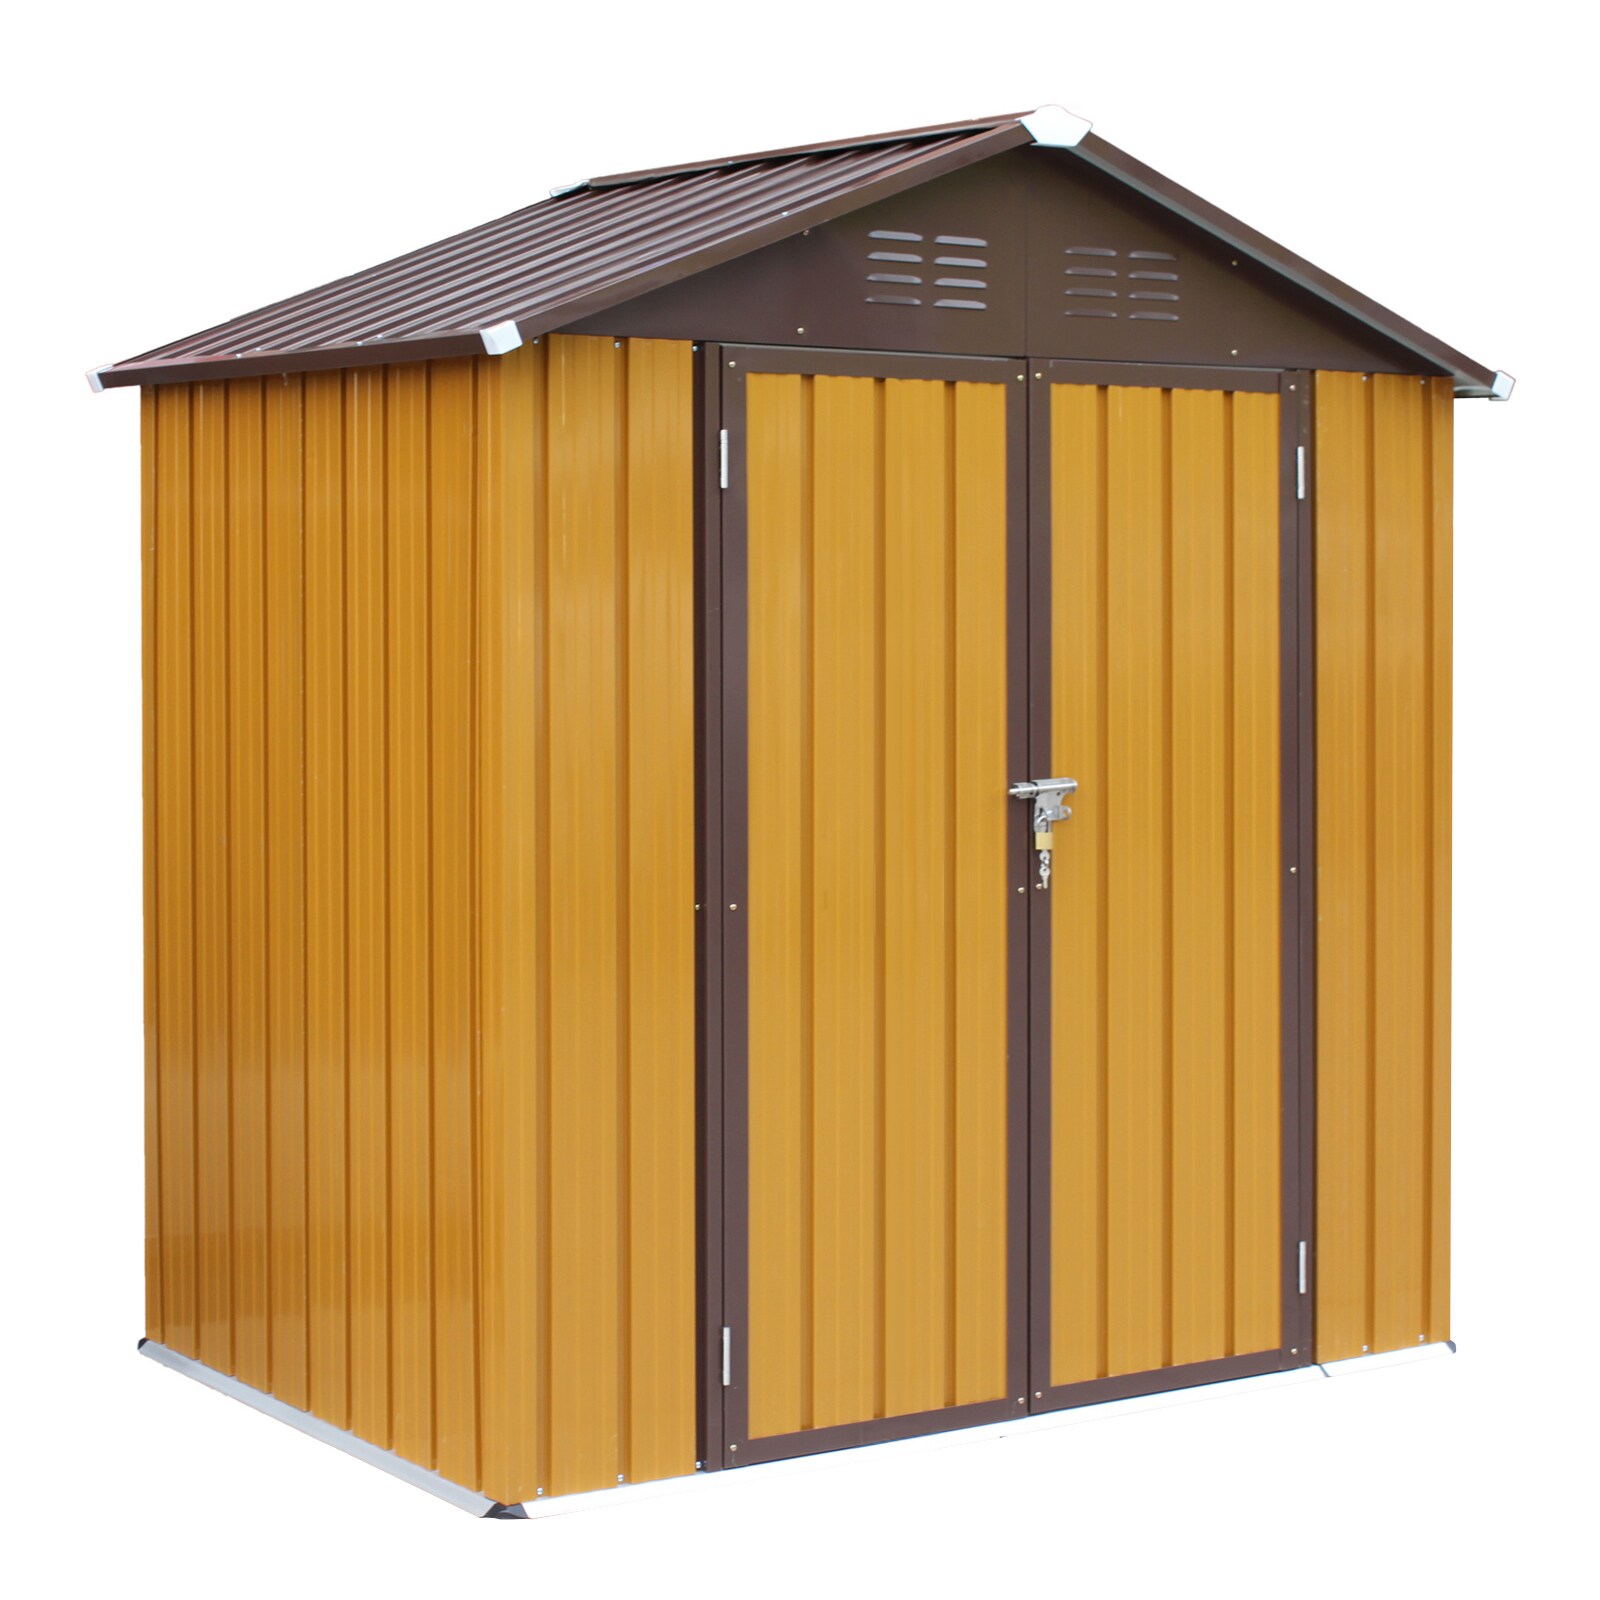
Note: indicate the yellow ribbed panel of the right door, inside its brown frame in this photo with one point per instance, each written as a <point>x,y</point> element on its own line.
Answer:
<point>1166,892</point>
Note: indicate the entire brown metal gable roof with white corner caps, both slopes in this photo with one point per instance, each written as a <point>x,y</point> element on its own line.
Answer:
<point>543,270</point>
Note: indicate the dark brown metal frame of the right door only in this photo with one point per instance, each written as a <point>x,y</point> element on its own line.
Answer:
<point>1297,876</point>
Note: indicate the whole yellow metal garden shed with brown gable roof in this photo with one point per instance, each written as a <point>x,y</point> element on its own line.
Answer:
<point>628,991</point>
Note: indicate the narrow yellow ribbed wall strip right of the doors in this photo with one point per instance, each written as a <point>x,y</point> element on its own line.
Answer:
<point>1383,466</point>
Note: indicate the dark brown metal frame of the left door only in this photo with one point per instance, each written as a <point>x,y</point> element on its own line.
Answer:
<point>724,770</point>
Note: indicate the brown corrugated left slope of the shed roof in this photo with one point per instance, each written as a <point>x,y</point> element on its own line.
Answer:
<point>564,258</point>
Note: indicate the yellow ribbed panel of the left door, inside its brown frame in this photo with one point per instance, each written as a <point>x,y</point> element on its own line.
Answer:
<point>878,918</point>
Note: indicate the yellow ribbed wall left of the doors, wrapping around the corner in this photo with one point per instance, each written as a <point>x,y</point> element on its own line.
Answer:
<point>418,719</point>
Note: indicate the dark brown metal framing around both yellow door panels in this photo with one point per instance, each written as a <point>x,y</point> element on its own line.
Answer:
<point>722,849</point>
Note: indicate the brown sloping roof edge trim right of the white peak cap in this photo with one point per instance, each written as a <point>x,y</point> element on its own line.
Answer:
<point>1471,378</point>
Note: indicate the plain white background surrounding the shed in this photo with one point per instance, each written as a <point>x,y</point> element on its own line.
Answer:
<point>170,166</point>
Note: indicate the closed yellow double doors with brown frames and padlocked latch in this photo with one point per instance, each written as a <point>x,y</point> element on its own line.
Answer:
<point>999,1138</point>
